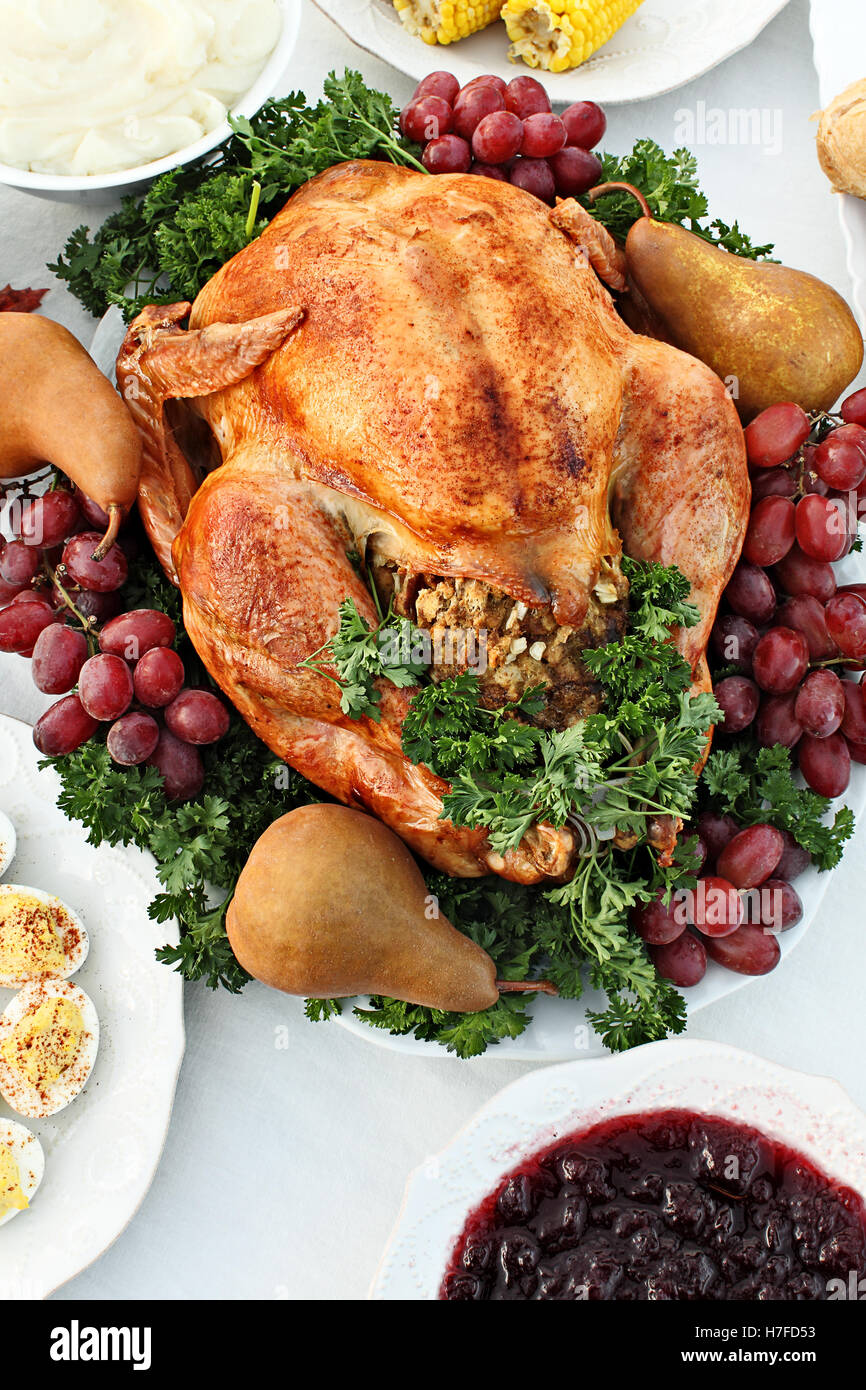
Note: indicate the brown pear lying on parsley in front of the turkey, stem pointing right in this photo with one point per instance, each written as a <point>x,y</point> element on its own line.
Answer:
<point>332,904</point>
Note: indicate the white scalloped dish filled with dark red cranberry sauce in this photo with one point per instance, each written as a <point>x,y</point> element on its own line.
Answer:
<point>678,1171</point>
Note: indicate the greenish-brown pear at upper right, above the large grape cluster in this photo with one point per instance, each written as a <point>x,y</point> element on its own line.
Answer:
<point>775,334</point>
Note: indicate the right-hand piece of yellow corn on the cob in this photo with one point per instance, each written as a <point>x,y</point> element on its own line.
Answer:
<point>562,34</point>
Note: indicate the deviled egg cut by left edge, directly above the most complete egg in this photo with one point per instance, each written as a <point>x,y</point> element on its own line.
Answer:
<point>41,938</point>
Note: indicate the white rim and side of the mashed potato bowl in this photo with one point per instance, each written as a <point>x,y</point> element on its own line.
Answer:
<point>108,188</point>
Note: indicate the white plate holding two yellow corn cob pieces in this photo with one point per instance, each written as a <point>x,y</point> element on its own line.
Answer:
<point>601,51</point>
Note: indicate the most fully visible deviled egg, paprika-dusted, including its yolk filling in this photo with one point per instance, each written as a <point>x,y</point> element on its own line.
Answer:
<point>49,1036</point>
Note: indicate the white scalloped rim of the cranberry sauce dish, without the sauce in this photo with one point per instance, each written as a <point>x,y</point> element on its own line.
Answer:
<point>811,1114</point>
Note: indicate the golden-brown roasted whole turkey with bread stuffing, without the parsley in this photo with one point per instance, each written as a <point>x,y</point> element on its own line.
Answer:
<point>426,372</point>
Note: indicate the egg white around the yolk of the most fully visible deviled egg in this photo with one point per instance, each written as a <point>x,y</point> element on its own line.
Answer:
<point>54,1096</point>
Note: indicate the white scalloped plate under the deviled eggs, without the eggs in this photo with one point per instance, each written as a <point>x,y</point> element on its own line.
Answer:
<point>104,1150</point>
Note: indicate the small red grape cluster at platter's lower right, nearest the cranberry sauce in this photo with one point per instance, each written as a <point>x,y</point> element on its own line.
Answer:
<point>743,901</point>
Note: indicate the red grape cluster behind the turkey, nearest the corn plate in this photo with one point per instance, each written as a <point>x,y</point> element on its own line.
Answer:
<point>505,131</point>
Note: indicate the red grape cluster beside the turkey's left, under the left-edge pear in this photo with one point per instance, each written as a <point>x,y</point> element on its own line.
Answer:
<point>63,610</point>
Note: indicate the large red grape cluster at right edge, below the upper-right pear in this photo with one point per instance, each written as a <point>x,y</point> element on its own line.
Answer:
<point>790,637</point>
